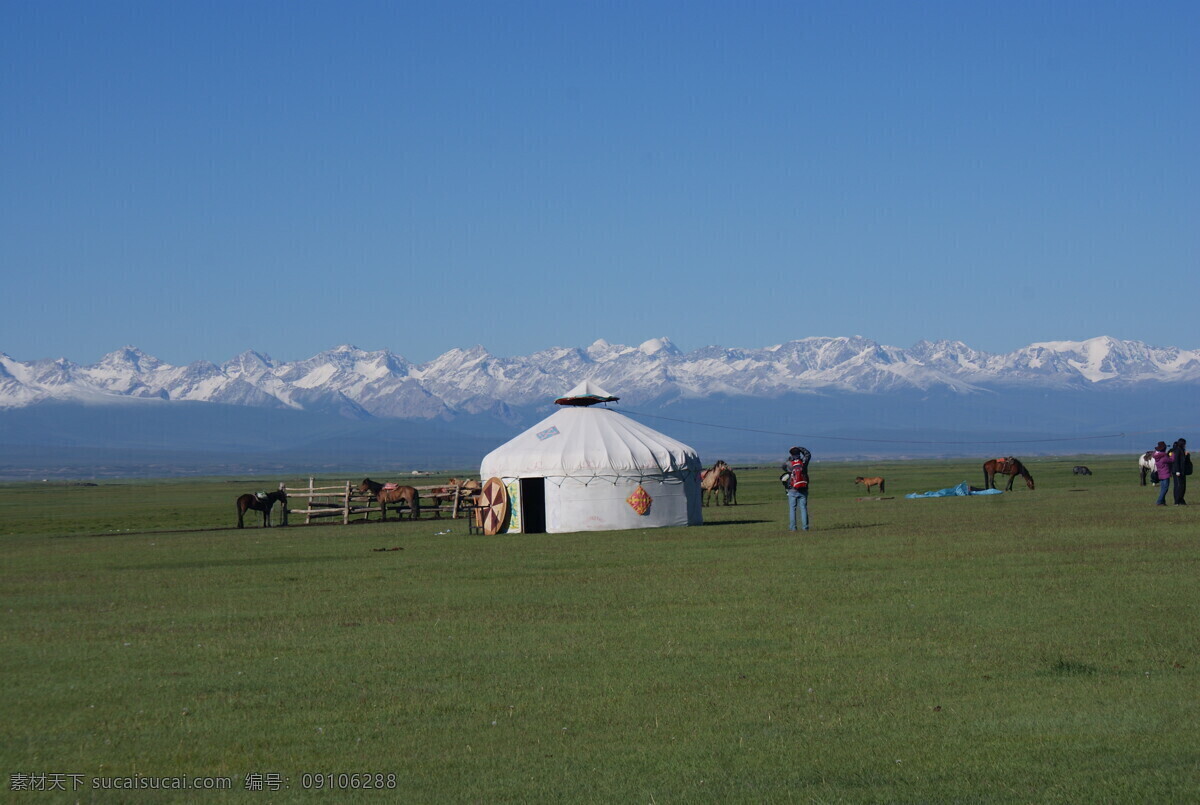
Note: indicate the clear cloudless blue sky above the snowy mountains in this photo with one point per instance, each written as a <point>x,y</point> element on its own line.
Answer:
<point>199,179</point>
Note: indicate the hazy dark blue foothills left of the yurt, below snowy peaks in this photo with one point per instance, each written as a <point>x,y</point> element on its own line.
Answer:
<point>164,440</point>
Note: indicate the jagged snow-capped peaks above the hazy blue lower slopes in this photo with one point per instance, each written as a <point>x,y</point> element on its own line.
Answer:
<point>363,385</point>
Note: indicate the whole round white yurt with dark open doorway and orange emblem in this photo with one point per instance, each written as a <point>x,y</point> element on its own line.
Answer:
<point>587,468</point>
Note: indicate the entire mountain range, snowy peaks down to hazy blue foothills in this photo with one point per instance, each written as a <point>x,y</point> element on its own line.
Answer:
<point>346,408</point>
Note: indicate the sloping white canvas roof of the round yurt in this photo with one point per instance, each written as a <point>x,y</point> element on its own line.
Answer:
<point>589,442</point>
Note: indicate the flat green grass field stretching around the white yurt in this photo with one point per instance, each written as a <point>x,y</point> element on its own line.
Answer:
<point>1029,647</point>
